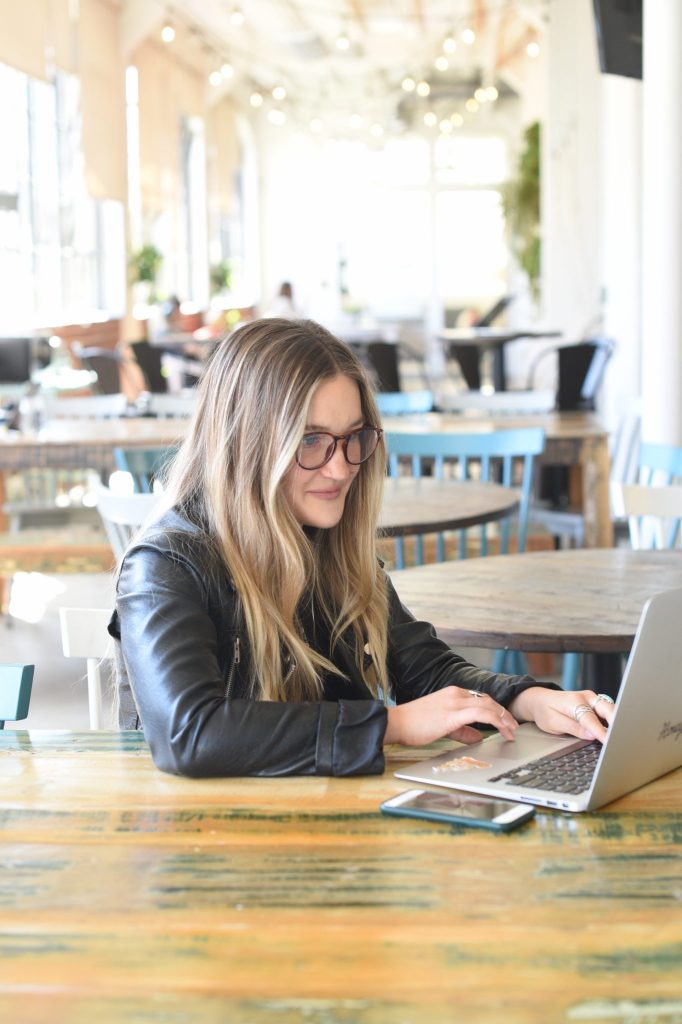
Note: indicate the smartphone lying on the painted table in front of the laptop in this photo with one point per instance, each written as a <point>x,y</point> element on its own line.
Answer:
<point>459,808</point>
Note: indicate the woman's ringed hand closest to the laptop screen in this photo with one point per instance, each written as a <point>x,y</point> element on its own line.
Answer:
<point>552,711</point>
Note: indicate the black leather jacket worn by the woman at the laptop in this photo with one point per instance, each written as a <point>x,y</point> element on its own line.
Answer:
<point>184,673</point>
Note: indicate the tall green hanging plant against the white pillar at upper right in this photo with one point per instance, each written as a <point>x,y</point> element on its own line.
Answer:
<point>522,206</point>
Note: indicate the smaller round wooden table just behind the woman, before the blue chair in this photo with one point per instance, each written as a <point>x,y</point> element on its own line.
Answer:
<point>428,506</point>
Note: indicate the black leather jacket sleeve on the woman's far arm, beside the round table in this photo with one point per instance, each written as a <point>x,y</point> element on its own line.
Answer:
<point>419,663</point>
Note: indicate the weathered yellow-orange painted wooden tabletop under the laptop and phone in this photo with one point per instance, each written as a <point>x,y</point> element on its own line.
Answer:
<point>131,895</point>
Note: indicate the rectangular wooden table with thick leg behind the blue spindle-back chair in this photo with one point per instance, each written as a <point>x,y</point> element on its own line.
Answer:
<point>579,441</point>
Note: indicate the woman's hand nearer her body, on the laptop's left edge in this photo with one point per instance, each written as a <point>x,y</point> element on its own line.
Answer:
<point>447,714</point>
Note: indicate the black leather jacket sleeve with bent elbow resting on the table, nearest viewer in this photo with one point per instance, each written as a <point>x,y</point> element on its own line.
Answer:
<point>170,651</point>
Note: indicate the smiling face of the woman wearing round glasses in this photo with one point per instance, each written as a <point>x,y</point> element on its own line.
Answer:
<point>317,497</point>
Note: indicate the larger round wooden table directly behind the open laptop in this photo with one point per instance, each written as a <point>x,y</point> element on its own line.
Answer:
<point>587,601</point>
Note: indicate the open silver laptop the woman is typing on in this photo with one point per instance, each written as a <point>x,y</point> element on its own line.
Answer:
<point>644,743</point>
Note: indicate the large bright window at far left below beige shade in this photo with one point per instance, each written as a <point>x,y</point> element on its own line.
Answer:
<point>62,252</point>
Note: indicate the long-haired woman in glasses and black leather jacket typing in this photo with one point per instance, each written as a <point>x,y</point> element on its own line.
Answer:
<point>259,633</point>
